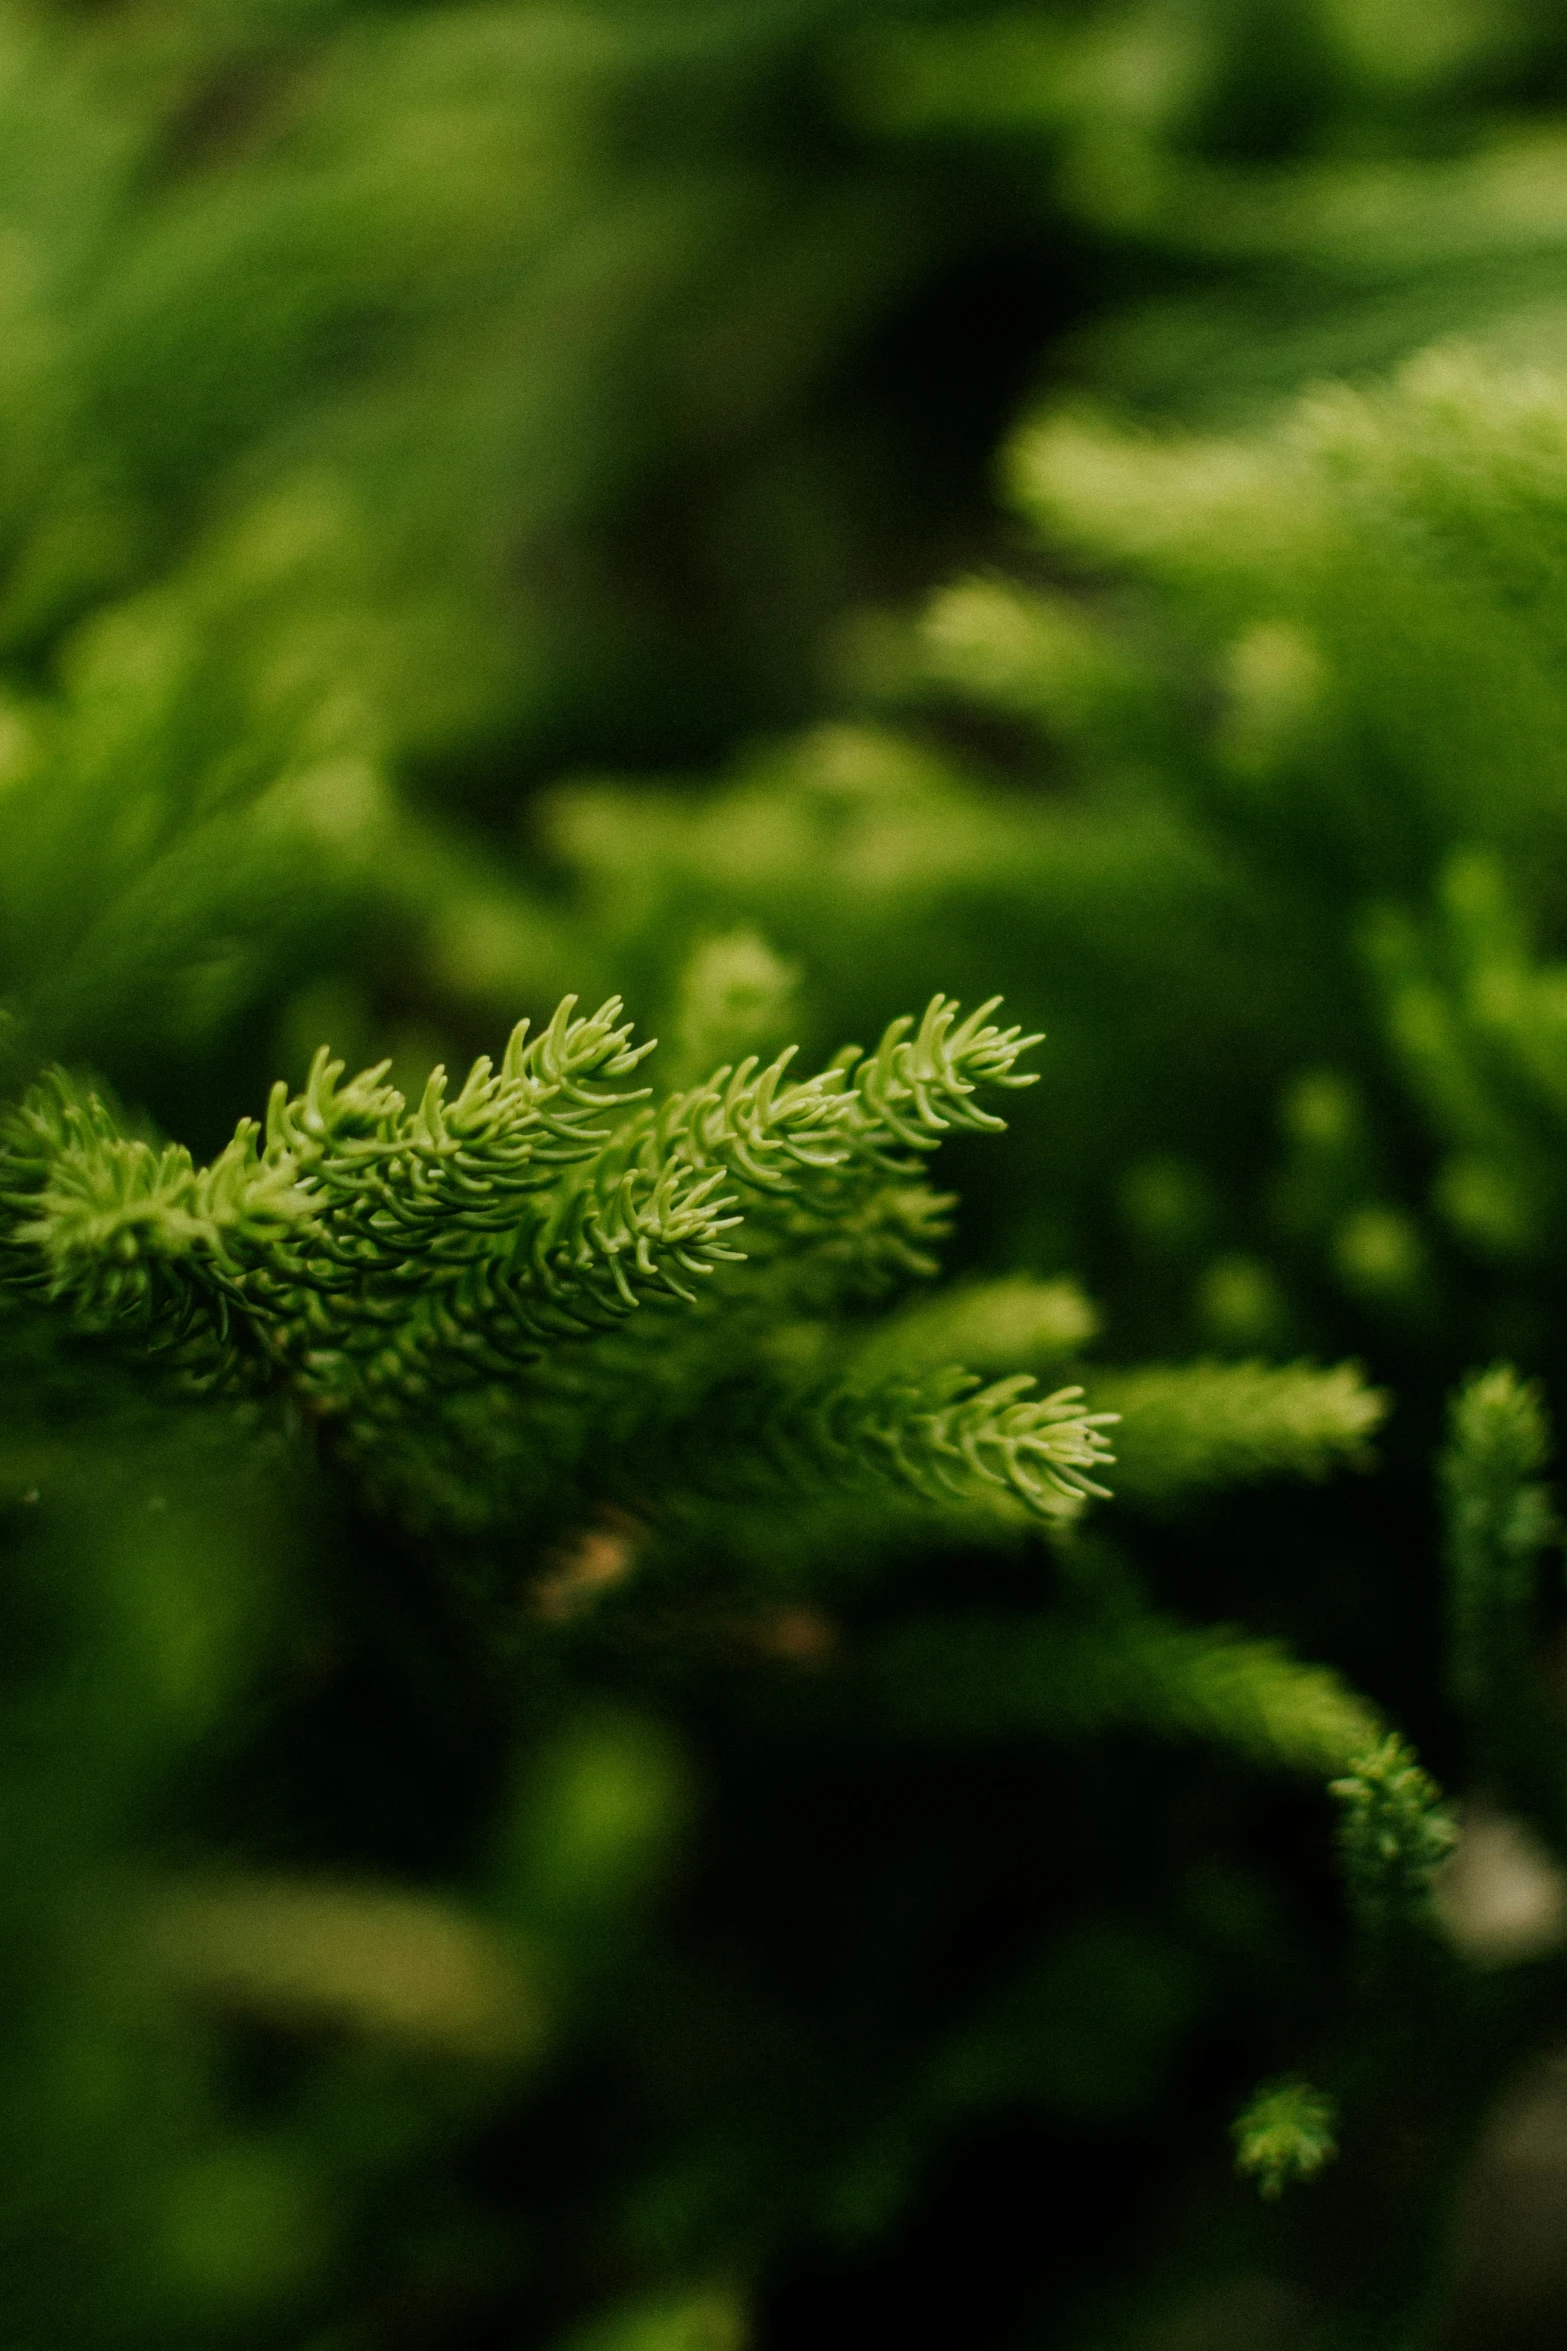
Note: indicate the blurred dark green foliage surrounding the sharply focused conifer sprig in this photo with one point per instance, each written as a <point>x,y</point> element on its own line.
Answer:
<point>495,500</point>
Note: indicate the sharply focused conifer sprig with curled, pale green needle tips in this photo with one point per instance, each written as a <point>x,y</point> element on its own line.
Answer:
<point>384,1259</point>
